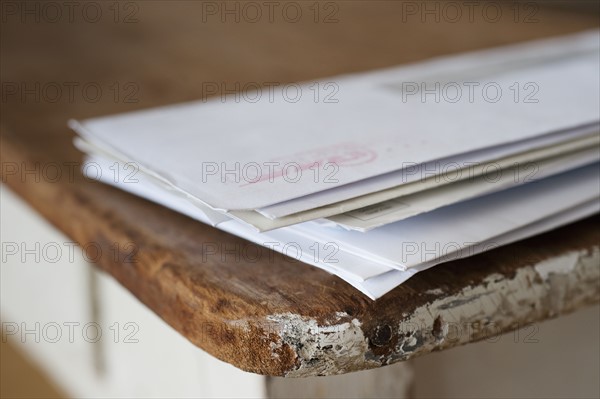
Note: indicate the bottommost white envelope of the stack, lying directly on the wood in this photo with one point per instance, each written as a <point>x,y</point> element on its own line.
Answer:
<point>368,276</point>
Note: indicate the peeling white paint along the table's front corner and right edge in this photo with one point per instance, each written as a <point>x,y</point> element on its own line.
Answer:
<point>498,304</point>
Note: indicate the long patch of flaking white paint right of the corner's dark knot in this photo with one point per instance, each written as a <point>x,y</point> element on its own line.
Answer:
<point>488,309</point>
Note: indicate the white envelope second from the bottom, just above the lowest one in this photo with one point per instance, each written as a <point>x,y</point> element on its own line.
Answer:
<point>429,236</point>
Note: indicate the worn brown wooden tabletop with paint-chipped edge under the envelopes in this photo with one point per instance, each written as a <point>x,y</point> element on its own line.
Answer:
<point>276,316</point>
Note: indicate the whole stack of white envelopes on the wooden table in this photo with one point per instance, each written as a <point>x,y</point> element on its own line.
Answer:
<point>376,176</point>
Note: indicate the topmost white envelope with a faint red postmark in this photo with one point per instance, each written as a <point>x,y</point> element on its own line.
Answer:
<point>244,155</point>
